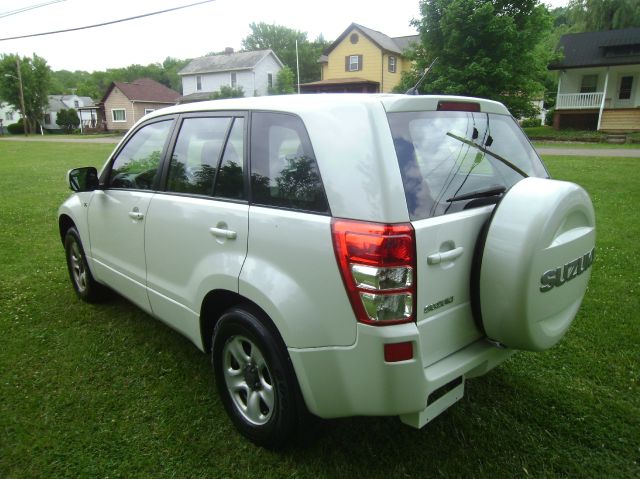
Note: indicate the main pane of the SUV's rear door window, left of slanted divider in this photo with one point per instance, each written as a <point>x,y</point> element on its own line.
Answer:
<point>196,155</point>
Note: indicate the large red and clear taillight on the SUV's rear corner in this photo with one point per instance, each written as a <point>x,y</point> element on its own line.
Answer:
<point>377,263</point>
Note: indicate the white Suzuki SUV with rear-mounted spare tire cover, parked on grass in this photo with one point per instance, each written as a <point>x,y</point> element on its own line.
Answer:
<point>337,254</point>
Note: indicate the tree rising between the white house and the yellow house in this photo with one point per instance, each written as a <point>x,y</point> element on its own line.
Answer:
<point>282,40</point>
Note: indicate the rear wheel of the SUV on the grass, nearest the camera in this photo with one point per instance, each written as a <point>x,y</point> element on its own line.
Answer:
<point>255,379</point>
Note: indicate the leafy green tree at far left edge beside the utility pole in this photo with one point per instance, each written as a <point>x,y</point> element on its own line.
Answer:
<point>36,77</point>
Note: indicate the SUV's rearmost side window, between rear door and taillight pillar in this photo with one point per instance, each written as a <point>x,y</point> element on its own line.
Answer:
<point>284,172</point>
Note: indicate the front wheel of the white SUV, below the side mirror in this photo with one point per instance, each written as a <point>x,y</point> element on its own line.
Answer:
<point>87,288</point>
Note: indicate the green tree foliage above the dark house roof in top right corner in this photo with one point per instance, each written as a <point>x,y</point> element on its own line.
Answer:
<point>597,15</point>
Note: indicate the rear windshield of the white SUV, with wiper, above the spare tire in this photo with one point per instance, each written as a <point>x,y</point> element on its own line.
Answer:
<point>446,160</point>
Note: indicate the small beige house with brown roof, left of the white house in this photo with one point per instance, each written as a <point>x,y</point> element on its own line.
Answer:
<point>125,103</point>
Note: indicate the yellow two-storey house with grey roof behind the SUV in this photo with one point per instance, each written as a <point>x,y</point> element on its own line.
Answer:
<point>362,60</point>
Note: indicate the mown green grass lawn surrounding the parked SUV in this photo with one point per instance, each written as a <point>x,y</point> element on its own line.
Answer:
<point>106,391</point>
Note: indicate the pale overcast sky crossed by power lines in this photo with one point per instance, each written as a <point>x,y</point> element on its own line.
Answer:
<point>187,33</point>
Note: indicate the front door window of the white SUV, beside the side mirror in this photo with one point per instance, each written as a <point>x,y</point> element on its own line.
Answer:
<point>136,166</point>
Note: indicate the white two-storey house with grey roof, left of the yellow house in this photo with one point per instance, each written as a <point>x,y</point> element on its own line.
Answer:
<point>254,71</point>
